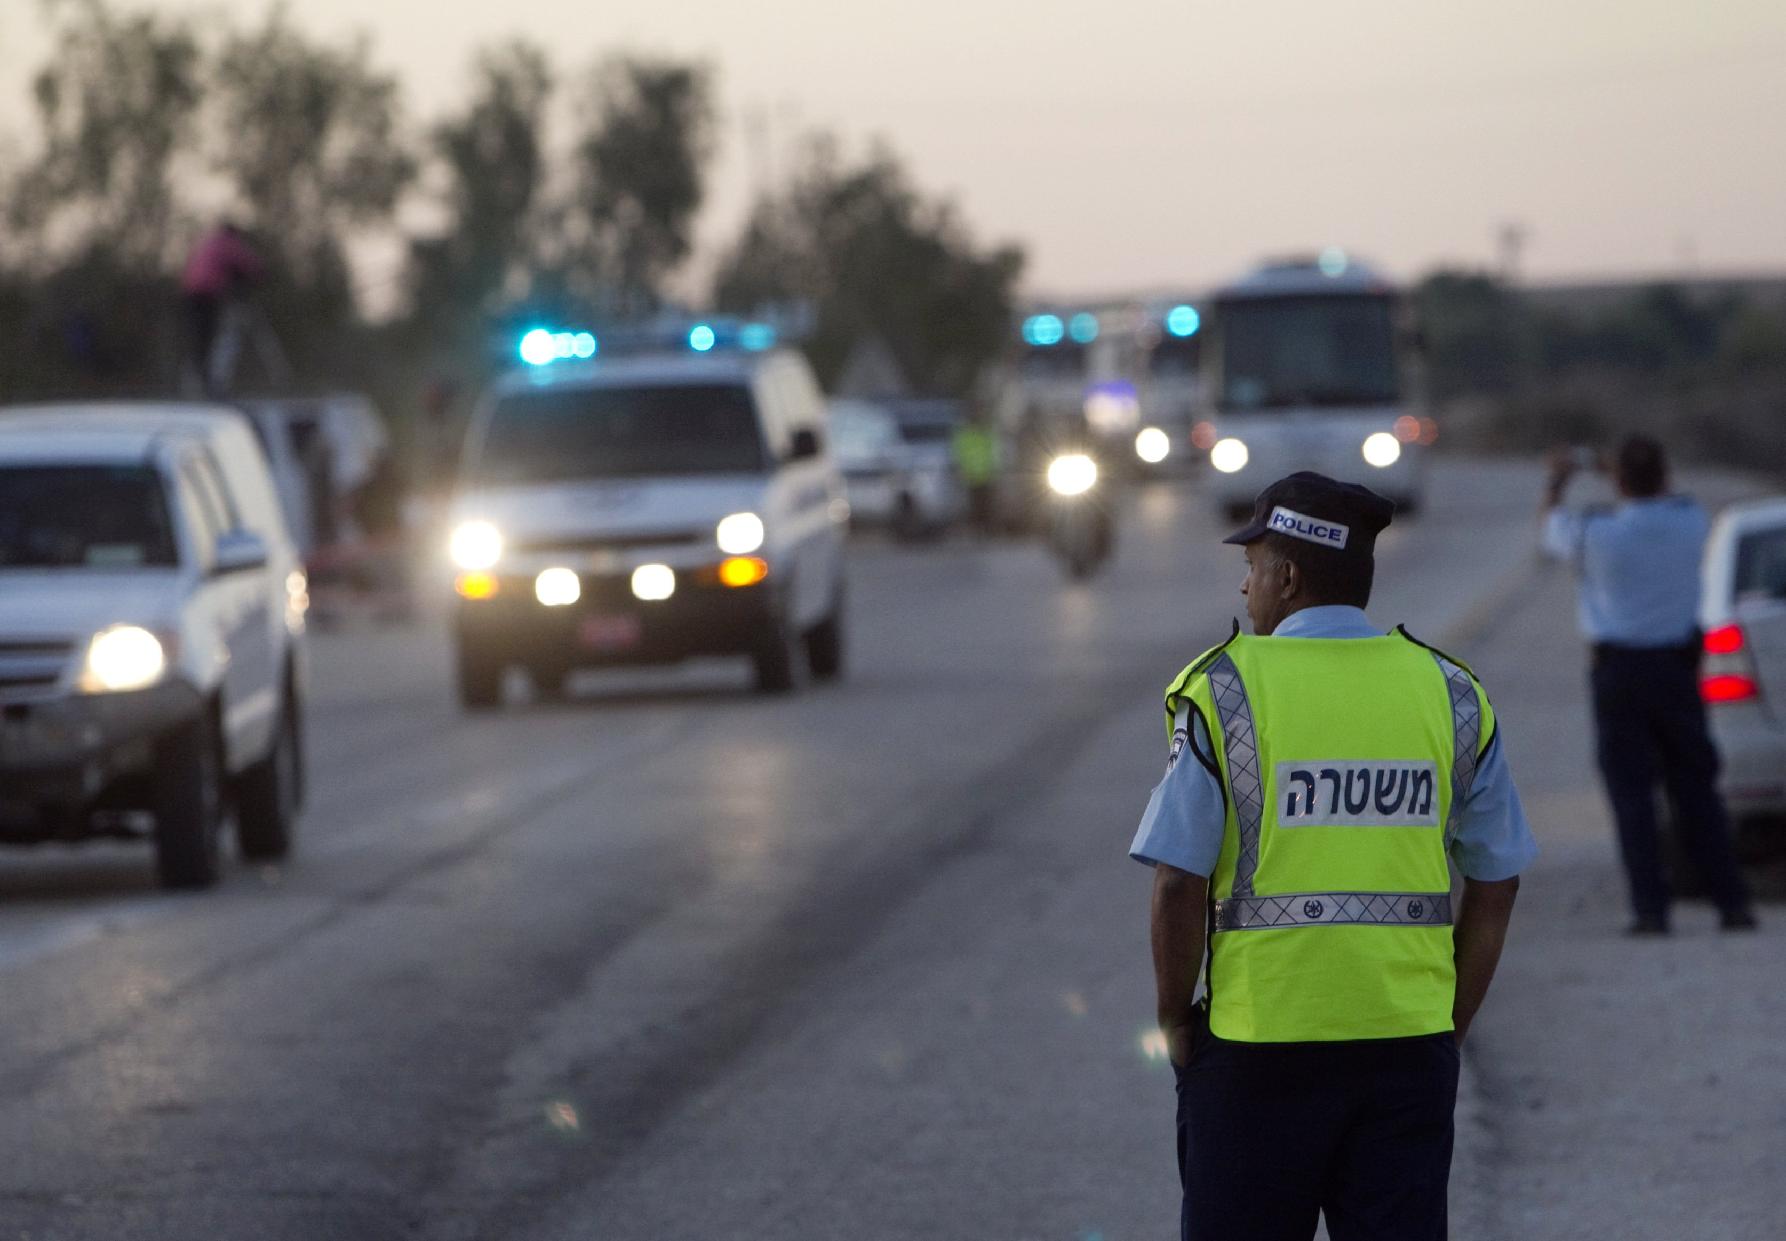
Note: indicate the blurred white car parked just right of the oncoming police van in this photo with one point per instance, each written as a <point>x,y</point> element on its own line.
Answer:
<point>889,481</point>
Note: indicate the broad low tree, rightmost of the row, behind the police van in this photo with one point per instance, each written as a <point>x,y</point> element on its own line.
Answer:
<point>876,260</point>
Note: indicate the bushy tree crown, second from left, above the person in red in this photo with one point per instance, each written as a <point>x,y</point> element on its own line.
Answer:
<point>310,142</point>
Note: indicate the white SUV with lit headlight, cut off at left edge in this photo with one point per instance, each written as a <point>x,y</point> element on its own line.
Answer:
<point>151,635</point>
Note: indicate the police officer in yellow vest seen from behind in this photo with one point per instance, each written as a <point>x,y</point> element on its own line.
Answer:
<point>1315,981</point>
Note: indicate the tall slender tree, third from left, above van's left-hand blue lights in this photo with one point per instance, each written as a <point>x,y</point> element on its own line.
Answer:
<point>494,163</point>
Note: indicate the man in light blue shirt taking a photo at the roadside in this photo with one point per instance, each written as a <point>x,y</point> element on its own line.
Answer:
<point>1639,567</point>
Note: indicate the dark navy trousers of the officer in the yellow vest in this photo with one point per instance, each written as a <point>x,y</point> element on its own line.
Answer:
<point>1273,1135</point>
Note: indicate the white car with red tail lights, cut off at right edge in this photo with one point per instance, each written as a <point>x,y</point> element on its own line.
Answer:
<point>1744,672</point>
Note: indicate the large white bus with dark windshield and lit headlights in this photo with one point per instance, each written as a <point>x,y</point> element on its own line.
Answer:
<point>1308,369</point>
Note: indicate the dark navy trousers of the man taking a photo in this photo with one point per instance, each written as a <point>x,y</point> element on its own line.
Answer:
<point>1651,728</point>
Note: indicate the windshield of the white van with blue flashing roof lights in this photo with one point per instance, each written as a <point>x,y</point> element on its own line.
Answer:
<point>621,433</point>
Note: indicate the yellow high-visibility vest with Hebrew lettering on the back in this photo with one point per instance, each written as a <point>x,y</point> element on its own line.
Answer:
<point>1346,762</point>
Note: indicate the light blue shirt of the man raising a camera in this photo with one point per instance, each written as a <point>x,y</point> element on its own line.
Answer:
<point>1639,569</point>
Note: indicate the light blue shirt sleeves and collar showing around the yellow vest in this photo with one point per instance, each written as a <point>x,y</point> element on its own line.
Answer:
<point>1185,819</point>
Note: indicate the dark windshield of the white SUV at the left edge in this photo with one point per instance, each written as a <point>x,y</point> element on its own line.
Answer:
<point>85,517</point>
